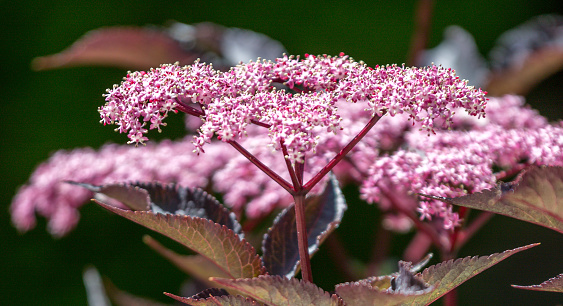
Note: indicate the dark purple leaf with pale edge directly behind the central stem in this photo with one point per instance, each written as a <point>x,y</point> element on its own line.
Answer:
<point>322,214</point>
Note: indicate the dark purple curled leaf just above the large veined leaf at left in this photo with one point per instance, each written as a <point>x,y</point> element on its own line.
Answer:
<point>169,198</point>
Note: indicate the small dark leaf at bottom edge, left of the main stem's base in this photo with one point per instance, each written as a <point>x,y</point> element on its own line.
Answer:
<point>214,297</point>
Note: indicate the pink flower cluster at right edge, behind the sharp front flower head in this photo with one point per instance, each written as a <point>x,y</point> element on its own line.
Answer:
<point>454,163</point>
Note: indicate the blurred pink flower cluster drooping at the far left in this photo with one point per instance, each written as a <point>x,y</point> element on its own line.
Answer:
<point>48,195</point>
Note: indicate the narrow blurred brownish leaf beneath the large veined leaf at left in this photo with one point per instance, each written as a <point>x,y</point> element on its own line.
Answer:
<point>196,266</point>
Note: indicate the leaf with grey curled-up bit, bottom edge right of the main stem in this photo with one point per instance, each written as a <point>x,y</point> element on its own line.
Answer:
<point>394,289</point>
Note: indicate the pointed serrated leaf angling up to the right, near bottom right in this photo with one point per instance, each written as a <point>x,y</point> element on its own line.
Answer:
<point>446,276</point>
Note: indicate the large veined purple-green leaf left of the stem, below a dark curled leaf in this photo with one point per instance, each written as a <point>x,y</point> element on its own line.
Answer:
<point>236,257</point>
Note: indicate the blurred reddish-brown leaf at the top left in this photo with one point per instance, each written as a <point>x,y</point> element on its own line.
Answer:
<point>124,47</point>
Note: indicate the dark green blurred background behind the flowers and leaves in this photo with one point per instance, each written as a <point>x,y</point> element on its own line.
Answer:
<point>43,112</point>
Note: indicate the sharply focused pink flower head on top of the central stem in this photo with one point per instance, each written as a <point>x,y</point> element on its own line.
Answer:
<point>296,110</point>
